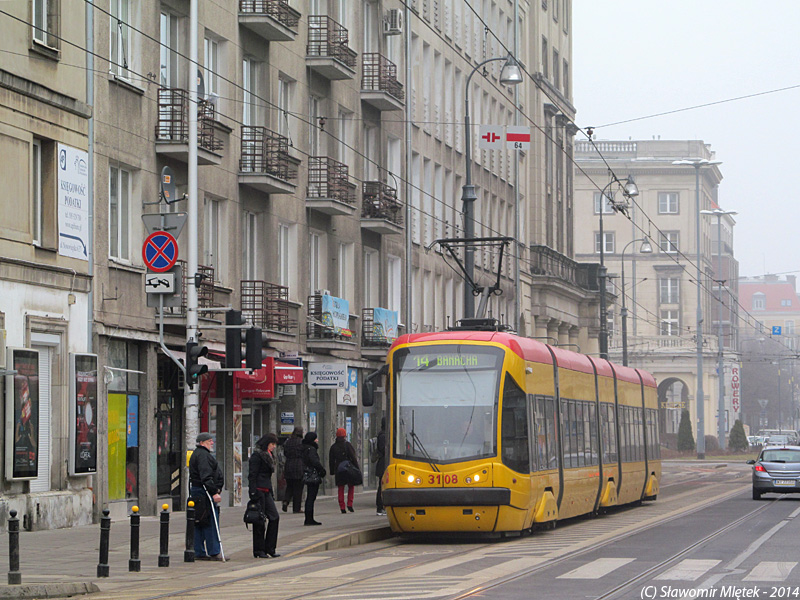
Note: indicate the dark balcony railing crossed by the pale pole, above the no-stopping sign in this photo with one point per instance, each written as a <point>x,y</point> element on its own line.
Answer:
<point>173,120</point>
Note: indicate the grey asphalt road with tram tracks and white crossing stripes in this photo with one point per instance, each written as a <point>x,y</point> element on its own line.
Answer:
<point>703,537</point>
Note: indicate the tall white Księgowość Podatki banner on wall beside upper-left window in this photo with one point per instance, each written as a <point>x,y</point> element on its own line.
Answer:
<point>73,202</point>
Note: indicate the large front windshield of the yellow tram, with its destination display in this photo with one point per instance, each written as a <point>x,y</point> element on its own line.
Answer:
<point>446,400</point>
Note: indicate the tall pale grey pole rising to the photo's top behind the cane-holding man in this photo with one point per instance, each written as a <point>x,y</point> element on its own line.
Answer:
<point>191,395</point>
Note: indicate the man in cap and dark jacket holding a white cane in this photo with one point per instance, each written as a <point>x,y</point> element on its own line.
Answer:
<point>205,485</point>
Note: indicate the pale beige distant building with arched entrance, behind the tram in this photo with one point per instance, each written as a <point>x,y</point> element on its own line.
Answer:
<point>659,287</point>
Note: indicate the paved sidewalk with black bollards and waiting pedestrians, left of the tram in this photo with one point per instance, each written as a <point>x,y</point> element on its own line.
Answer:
<point>59,562</point>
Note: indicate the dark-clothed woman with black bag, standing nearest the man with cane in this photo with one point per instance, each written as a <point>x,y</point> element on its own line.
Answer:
<point>262,466</point>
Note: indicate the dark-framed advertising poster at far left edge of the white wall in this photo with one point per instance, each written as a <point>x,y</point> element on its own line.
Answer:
<point>22,415</point>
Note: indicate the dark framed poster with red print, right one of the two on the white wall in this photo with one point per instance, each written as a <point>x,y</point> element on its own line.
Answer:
<point>83,414</point>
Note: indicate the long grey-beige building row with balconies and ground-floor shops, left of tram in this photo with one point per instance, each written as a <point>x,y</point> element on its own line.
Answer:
<point>331,156</point>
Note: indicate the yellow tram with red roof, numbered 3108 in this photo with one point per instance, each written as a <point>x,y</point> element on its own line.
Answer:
<point>492,432</point>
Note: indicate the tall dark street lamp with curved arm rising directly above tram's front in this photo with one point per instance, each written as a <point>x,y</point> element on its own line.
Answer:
<point>511,74</point>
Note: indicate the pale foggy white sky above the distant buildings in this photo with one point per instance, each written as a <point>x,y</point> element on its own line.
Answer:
<point>634,58</point>
